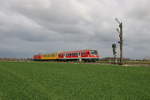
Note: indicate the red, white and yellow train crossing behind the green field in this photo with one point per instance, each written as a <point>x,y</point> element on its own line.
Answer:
<point>78,55</point>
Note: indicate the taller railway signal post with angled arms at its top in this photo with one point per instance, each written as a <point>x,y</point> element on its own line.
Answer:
<point>120,31</point>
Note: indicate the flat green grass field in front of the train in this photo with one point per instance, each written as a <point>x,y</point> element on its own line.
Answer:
<point>60,81</point>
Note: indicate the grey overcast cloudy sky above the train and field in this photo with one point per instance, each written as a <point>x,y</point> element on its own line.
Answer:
<point>29,27</point>
